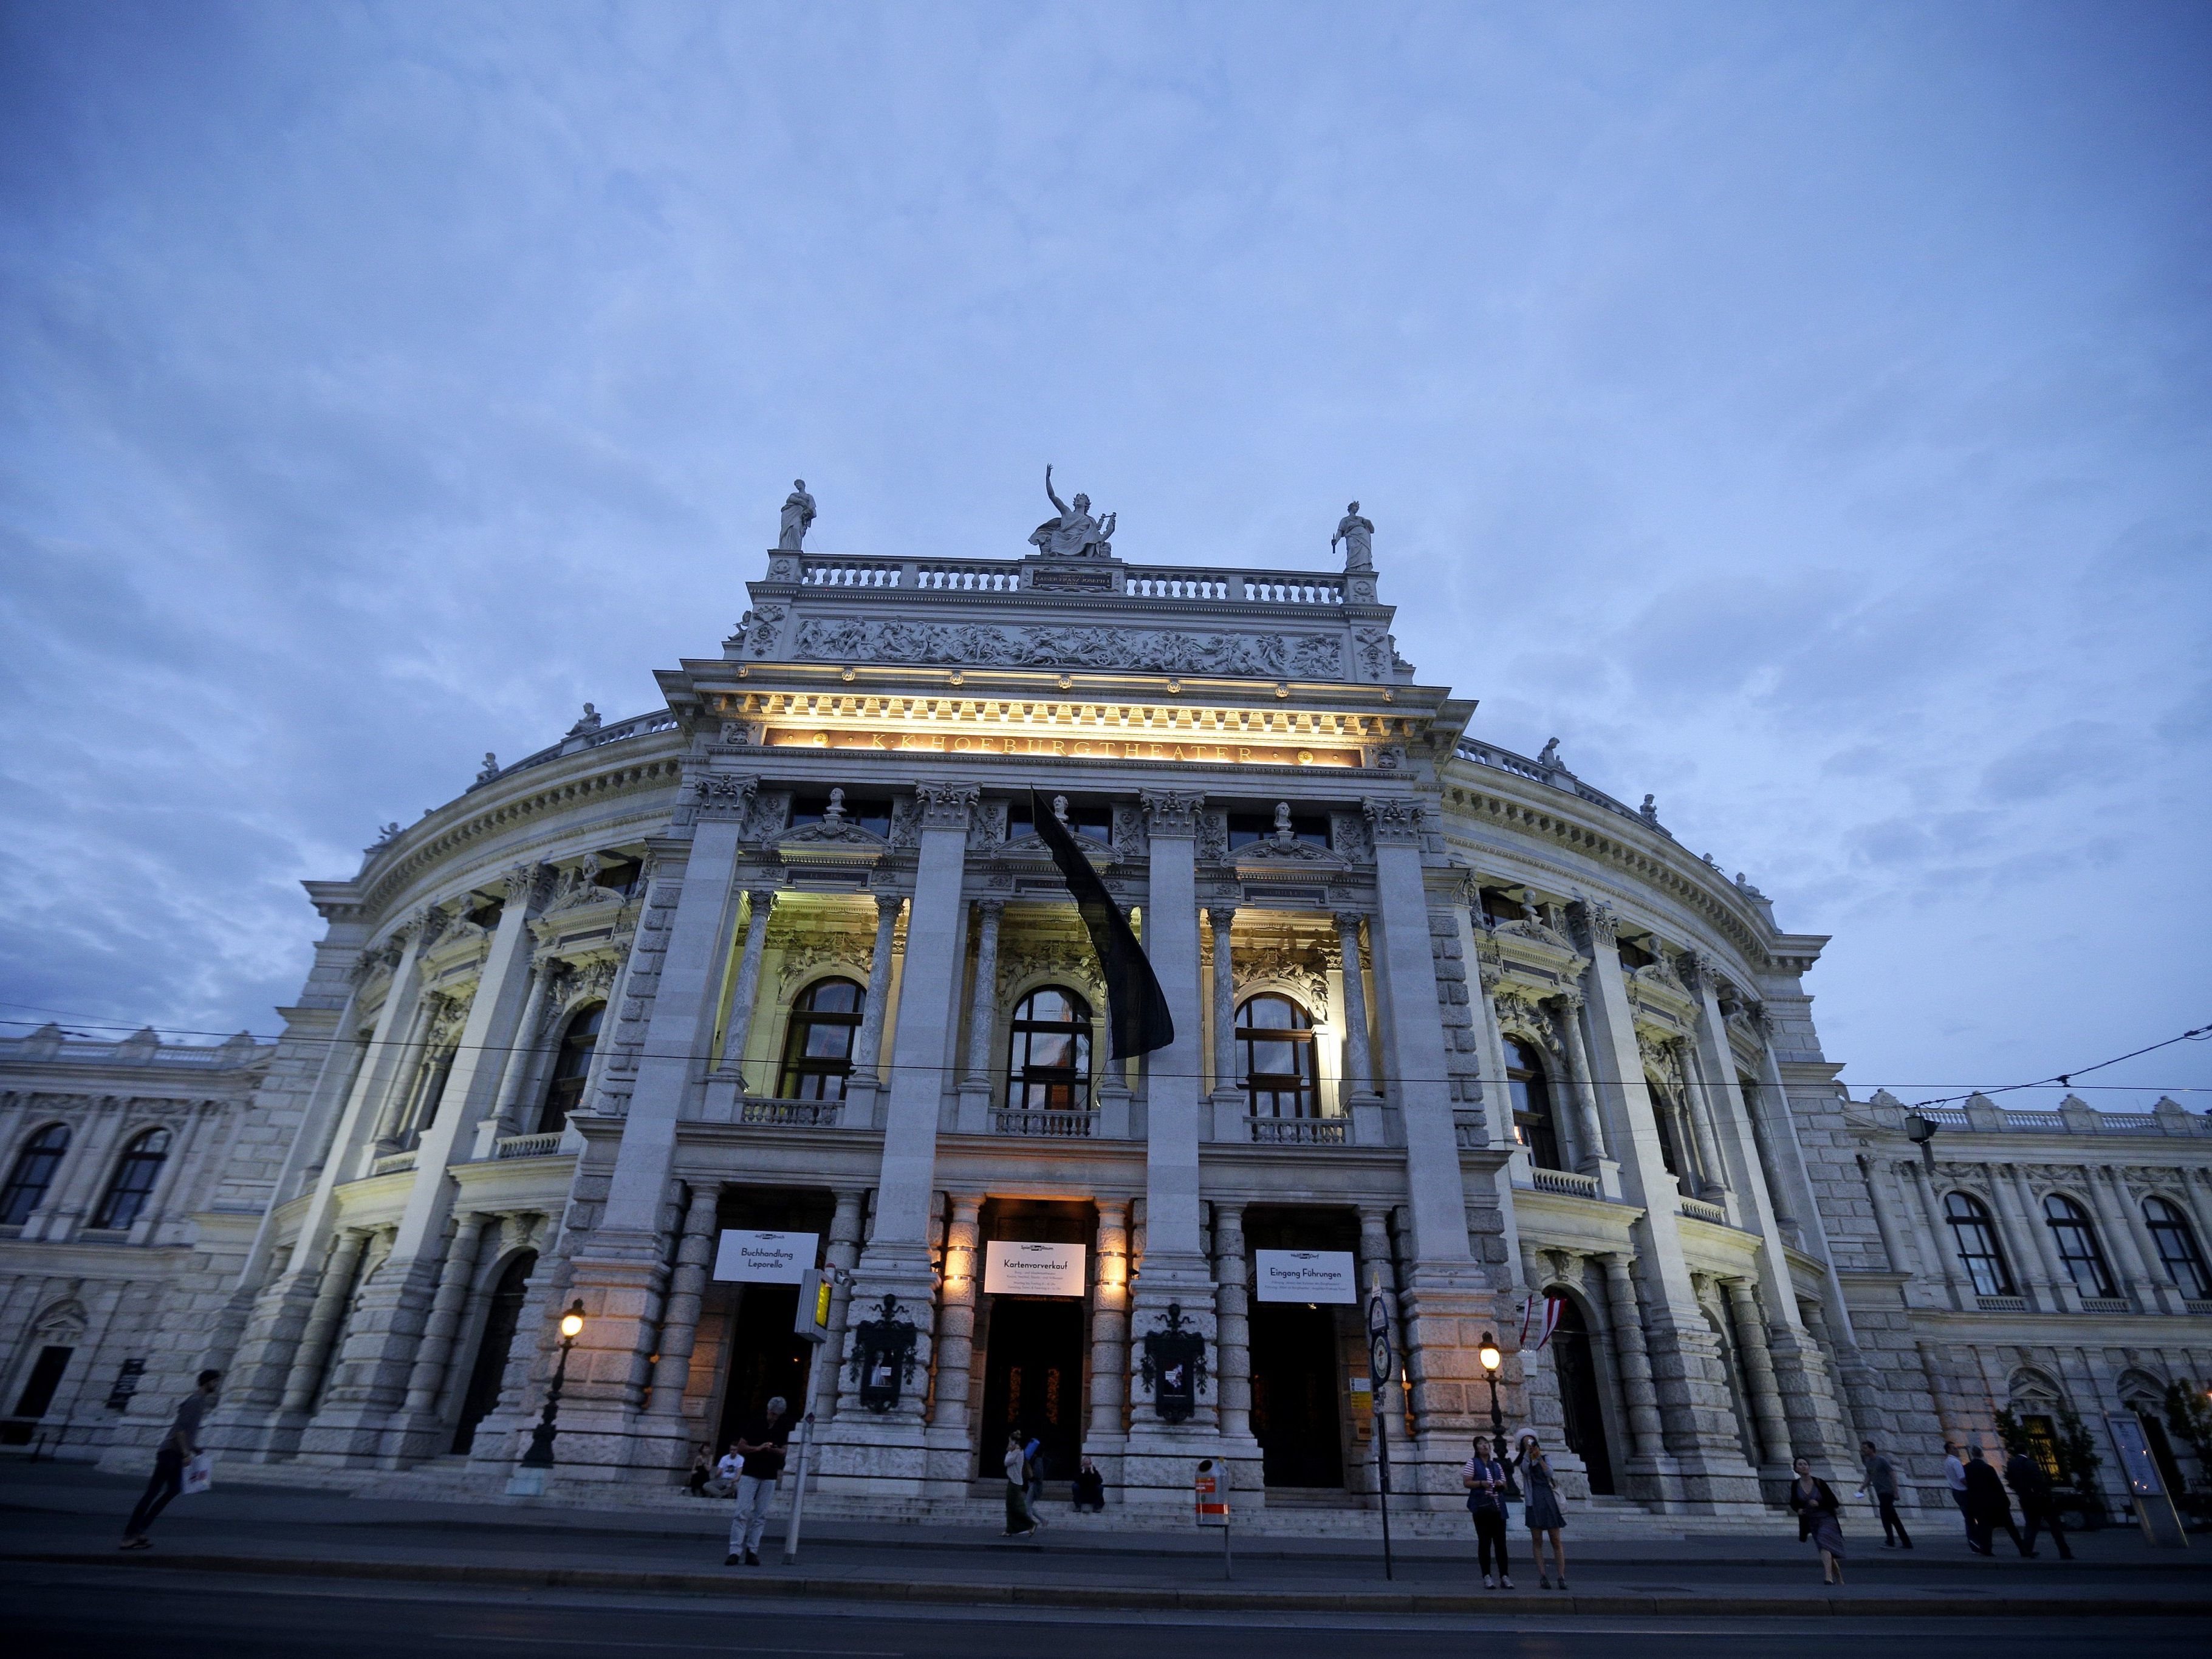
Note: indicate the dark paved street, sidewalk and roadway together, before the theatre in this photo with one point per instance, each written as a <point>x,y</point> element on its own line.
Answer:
<point>260,1569</point>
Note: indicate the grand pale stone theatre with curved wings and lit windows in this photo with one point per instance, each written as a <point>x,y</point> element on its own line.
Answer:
<point>789,957</point>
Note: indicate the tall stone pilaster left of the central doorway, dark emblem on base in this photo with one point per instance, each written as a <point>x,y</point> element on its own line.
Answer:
<point>888,1452</point>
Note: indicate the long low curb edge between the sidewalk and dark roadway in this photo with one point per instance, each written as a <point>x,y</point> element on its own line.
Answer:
<point>1092,1598</point>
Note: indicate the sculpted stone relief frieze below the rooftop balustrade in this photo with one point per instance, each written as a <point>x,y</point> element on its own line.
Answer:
<point>1056,647</point>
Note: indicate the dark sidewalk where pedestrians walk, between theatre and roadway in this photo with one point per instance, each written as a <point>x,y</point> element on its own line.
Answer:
<point>65,1514</point>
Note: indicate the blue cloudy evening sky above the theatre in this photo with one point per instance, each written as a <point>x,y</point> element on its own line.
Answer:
<point>1797,410</point>
